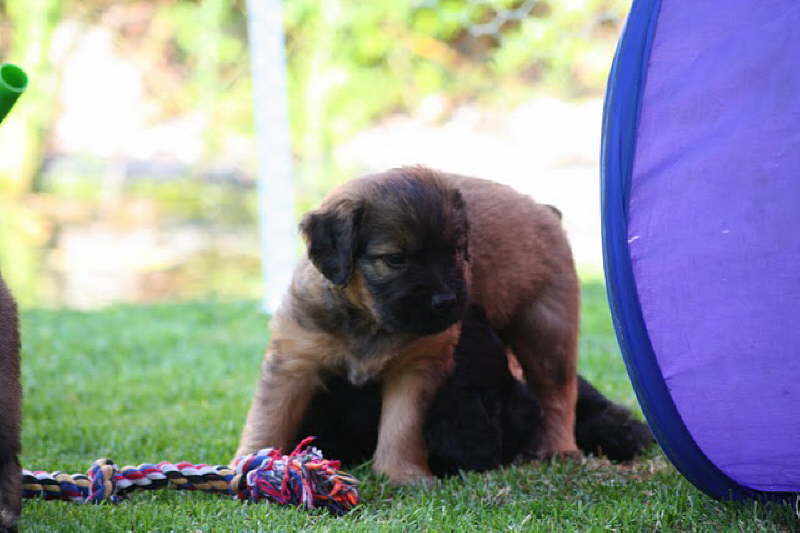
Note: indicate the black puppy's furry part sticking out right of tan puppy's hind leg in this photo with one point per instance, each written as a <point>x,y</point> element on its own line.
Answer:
<point>605,428</point>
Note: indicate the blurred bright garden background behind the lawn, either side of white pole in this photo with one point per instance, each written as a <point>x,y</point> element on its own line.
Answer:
<point>127,169</point>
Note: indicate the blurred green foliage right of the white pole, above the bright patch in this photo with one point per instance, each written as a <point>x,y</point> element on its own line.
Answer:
<point>352,62</point>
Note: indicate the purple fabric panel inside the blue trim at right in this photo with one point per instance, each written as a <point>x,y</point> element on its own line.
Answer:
<point>714,229</point>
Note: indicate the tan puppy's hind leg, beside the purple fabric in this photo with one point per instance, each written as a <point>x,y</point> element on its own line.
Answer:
<point>544,337</point>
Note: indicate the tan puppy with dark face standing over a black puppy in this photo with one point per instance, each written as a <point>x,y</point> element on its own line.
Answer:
<point>393,259</point>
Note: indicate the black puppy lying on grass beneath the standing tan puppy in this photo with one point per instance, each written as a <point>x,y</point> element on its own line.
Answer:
<point>481,418</point>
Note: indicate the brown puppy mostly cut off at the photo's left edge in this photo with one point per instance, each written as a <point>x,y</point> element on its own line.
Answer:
<point>10,406</point>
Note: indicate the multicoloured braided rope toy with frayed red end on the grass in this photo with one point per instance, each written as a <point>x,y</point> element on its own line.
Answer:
<point>302,479</point>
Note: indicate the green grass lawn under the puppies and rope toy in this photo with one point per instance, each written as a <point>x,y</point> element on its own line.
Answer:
<point>173,382</point>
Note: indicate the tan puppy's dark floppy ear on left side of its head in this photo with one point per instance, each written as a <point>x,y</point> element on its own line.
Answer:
<point>331,235</point>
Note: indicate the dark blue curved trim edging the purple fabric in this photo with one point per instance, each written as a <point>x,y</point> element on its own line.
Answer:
<point>620,124</point>
